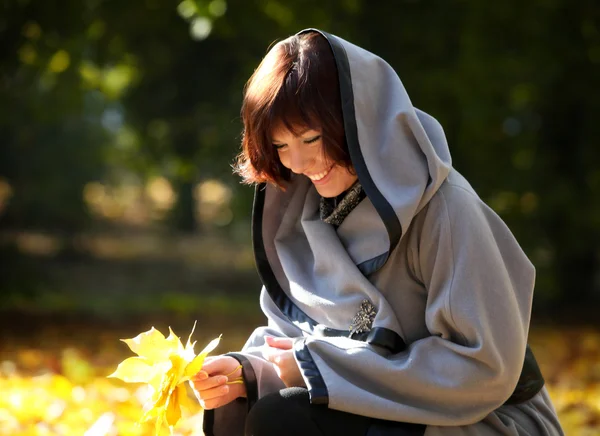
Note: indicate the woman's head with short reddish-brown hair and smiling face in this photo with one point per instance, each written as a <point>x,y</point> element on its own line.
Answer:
<point>290,106</point>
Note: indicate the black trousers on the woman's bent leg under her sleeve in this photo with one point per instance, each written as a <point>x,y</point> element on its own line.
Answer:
<point>289,412</point>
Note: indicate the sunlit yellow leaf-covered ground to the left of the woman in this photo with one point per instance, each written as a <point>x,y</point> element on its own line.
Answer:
<point>53,374</point>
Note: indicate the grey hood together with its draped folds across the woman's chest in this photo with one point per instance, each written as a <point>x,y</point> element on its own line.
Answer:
<point>401,158</point>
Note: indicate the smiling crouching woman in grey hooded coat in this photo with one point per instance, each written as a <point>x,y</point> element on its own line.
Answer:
<point>397,301</point>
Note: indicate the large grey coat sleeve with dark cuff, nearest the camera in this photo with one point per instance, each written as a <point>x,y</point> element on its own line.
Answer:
<point>479,288</point>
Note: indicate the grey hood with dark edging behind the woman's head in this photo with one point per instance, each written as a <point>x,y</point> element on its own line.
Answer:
<point>399,153</point>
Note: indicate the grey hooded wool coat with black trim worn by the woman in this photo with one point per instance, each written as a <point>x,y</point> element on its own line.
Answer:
<point>449,285</point>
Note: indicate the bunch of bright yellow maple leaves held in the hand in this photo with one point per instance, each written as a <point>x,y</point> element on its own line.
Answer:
<point>165,365</point>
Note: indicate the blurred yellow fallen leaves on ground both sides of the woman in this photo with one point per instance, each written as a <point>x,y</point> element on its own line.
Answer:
<point>63,390</point>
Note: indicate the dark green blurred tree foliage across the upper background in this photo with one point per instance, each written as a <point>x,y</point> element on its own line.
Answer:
<point>154,87</point>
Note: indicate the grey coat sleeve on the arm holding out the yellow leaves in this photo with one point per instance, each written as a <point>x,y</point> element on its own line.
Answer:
<point>259,376</point>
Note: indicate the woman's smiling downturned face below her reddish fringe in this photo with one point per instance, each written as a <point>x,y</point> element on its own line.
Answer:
<point>303,154</point>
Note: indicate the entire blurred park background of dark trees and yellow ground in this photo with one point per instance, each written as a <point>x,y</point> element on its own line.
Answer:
<point>119,121</point>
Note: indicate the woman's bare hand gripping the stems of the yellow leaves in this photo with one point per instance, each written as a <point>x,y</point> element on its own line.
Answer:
<point>210,382</point>
